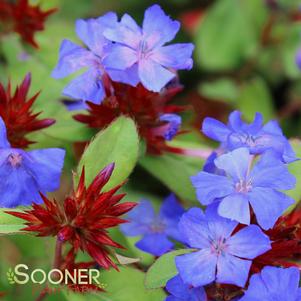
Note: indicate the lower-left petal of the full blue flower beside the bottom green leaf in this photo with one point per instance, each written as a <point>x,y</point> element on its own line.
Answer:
<point>197,268</point>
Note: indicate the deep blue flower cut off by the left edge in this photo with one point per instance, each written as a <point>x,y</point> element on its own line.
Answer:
<point>25,174</point>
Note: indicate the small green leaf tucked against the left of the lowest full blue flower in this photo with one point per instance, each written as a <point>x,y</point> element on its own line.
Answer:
<point>163,269</point>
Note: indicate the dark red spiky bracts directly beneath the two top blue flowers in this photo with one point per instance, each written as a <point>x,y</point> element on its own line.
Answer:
<point>143,106</point>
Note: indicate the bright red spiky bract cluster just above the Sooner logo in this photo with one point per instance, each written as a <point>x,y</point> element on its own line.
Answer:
<point>83,218</point>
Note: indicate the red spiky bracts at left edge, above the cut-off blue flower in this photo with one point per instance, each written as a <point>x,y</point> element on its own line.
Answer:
<point>17,114</point>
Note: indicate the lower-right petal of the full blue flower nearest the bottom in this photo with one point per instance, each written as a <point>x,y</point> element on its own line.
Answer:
<point>232,270</point>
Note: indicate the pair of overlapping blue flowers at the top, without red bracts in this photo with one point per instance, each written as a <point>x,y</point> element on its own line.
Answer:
<point>124,52</point>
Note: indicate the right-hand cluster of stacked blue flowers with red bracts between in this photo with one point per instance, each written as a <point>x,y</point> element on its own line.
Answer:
<point>242,186</point>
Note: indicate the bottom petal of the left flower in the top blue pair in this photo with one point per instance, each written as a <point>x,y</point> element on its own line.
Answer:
<point>87,87</point>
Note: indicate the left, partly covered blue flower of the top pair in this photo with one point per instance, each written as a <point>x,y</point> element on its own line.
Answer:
<point>89,86</point>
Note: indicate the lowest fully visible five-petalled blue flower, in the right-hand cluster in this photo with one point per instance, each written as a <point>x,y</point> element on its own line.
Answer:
<point>221,256</point>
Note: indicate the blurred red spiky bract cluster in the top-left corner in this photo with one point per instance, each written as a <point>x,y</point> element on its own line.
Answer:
<point>24,18</point>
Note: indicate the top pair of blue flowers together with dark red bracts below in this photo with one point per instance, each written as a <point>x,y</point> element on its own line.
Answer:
<point>129,72</point>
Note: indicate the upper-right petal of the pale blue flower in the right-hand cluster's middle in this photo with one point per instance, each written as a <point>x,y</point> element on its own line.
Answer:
<point>272,173</point>
